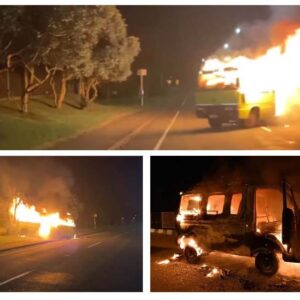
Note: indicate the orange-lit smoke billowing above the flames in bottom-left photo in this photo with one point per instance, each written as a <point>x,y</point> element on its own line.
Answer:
<point>39,181</point>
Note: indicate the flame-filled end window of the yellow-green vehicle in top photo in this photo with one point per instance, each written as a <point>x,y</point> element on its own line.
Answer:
<point>226,78</point>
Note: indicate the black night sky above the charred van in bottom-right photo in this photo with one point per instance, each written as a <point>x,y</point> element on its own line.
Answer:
<point>171,175</point>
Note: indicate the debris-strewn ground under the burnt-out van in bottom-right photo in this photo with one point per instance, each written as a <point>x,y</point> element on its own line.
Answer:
<point>234,273</point>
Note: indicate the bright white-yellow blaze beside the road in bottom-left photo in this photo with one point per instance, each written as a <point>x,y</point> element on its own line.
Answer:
<point>24,213</point>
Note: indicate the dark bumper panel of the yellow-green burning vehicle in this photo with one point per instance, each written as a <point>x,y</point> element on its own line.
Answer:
<point>225,113</point>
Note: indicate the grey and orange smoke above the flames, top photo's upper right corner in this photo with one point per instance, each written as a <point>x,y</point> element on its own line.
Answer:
<point>258,36</point>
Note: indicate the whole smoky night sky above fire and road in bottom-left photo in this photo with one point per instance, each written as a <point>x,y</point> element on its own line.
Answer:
<point>109,186</point>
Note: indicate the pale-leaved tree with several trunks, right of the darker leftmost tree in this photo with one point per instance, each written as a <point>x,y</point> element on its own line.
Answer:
<point>90,44</point>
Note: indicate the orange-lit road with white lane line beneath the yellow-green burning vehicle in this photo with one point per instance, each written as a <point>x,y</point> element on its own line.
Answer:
<point>175,127</point>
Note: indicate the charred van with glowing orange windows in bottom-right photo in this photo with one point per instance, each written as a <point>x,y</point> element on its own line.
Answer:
<point>260,221</point>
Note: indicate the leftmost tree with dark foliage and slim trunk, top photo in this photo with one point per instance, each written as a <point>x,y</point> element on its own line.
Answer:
<point>23,39</point>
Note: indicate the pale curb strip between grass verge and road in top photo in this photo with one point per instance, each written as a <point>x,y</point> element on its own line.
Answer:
<point>48,145</point>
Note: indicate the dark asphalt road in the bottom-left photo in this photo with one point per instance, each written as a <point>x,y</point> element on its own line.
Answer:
<point>106,261</point>
